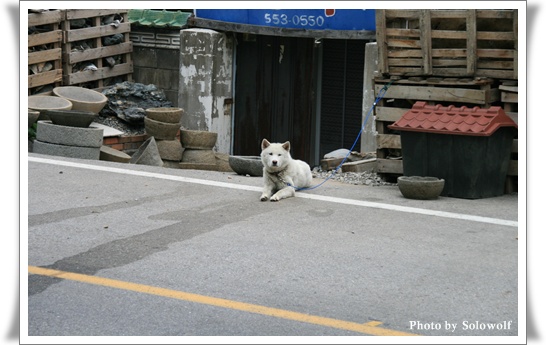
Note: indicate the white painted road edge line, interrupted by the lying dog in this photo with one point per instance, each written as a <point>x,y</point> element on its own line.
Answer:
<point>352,202</point>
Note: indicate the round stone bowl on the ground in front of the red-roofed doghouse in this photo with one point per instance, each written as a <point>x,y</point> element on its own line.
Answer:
<point>420,187</point>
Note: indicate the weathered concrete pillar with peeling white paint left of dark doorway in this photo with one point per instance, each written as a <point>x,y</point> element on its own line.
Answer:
<point>206,61</point>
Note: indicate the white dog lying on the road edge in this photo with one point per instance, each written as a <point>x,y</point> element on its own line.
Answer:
<point>282,174</point>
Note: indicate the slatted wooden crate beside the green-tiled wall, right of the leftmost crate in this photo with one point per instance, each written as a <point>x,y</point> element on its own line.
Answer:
<point>84,46</point>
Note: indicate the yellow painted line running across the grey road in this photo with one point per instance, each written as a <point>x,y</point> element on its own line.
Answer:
<point>369,328</point>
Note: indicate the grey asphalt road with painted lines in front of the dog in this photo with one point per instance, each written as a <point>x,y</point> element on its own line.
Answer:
<point>131,250</point>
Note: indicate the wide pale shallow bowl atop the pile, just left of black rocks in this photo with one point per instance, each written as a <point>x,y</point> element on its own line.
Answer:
<point>82,99</point>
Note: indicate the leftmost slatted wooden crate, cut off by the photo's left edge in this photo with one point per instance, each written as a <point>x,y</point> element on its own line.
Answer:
<point>44,51</point>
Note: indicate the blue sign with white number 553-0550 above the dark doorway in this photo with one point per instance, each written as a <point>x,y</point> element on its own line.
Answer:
<point>308,19</point>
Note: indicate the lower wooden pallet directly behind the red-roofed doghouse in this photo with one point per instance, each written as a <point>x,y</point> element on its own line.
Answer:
<point>403,93</point>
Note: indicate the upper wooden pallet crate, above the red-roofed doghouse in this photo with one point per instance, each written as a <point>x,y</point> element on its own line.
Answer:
<point>448,43</point>
